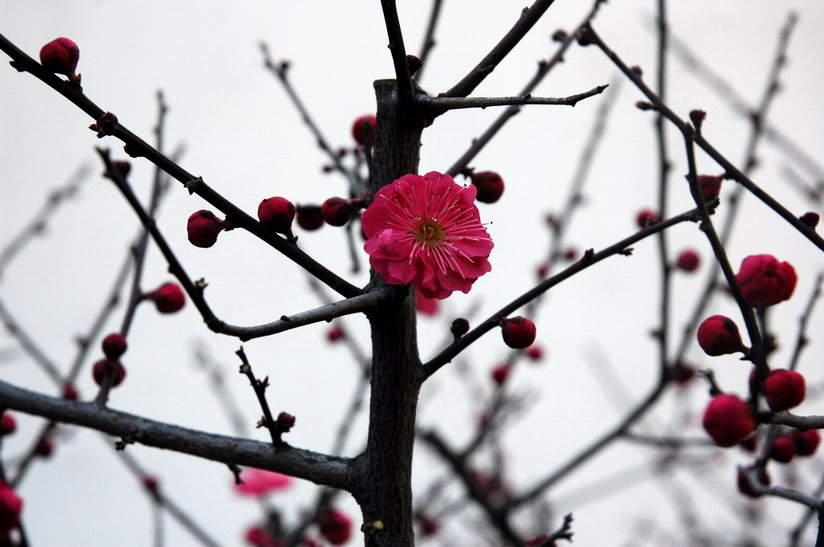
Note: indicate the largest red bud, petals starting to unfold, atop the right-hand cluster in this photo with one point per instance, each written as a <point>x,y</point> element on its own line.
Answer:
<point>764,281</point>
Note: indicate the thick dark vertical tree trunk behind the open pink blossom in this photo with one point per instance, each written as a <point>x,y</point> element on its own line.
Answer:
<point>384,471</point>
